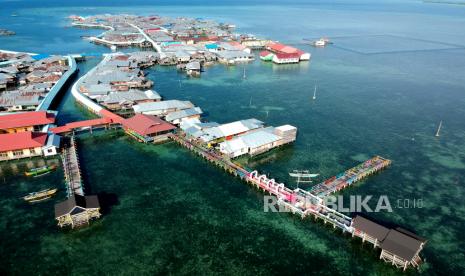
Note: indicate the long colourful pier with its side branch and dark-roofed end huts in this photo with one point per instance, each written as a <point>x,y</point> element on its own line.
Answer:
<point>311,203</point>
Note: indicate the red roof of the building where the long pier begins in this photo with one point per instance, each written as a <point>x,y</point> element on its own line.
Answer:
<point>146,124</point>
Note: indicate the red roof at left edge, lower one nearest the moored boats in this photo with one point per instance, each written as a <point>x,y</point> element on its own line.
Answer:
<point>22,140</point>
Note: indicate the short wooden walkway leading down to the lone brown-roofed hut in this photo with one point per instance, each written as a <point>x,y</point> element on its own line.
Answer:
<point>71,169</point>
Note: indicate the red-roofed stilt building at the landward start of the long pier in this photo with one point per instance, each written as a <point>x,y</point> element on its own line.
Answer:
<point>145,128</point>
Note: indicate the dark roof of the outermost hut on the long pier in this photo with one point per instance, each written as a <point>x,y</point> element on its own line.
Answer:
<point>401,244</point>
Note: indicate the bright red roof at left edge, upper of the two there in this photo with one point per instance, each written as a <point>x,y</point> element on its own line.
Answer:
<point>34,118</point>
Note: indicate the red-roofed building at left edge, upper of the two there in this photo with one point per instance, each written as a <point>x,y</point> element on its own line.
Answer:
<point>27,121</point>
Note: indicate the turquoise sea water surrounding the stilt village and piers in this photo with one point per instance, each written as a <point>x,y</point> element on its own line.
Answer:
<point>395,70</point>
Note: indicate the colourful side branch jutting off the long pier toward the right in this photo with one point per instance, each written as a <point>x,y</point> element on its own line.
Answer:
<point>349,177</point>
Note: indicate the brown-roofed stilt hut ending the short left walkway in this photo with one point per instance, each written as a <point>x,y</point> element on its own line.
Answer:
<point>77,210</point>
